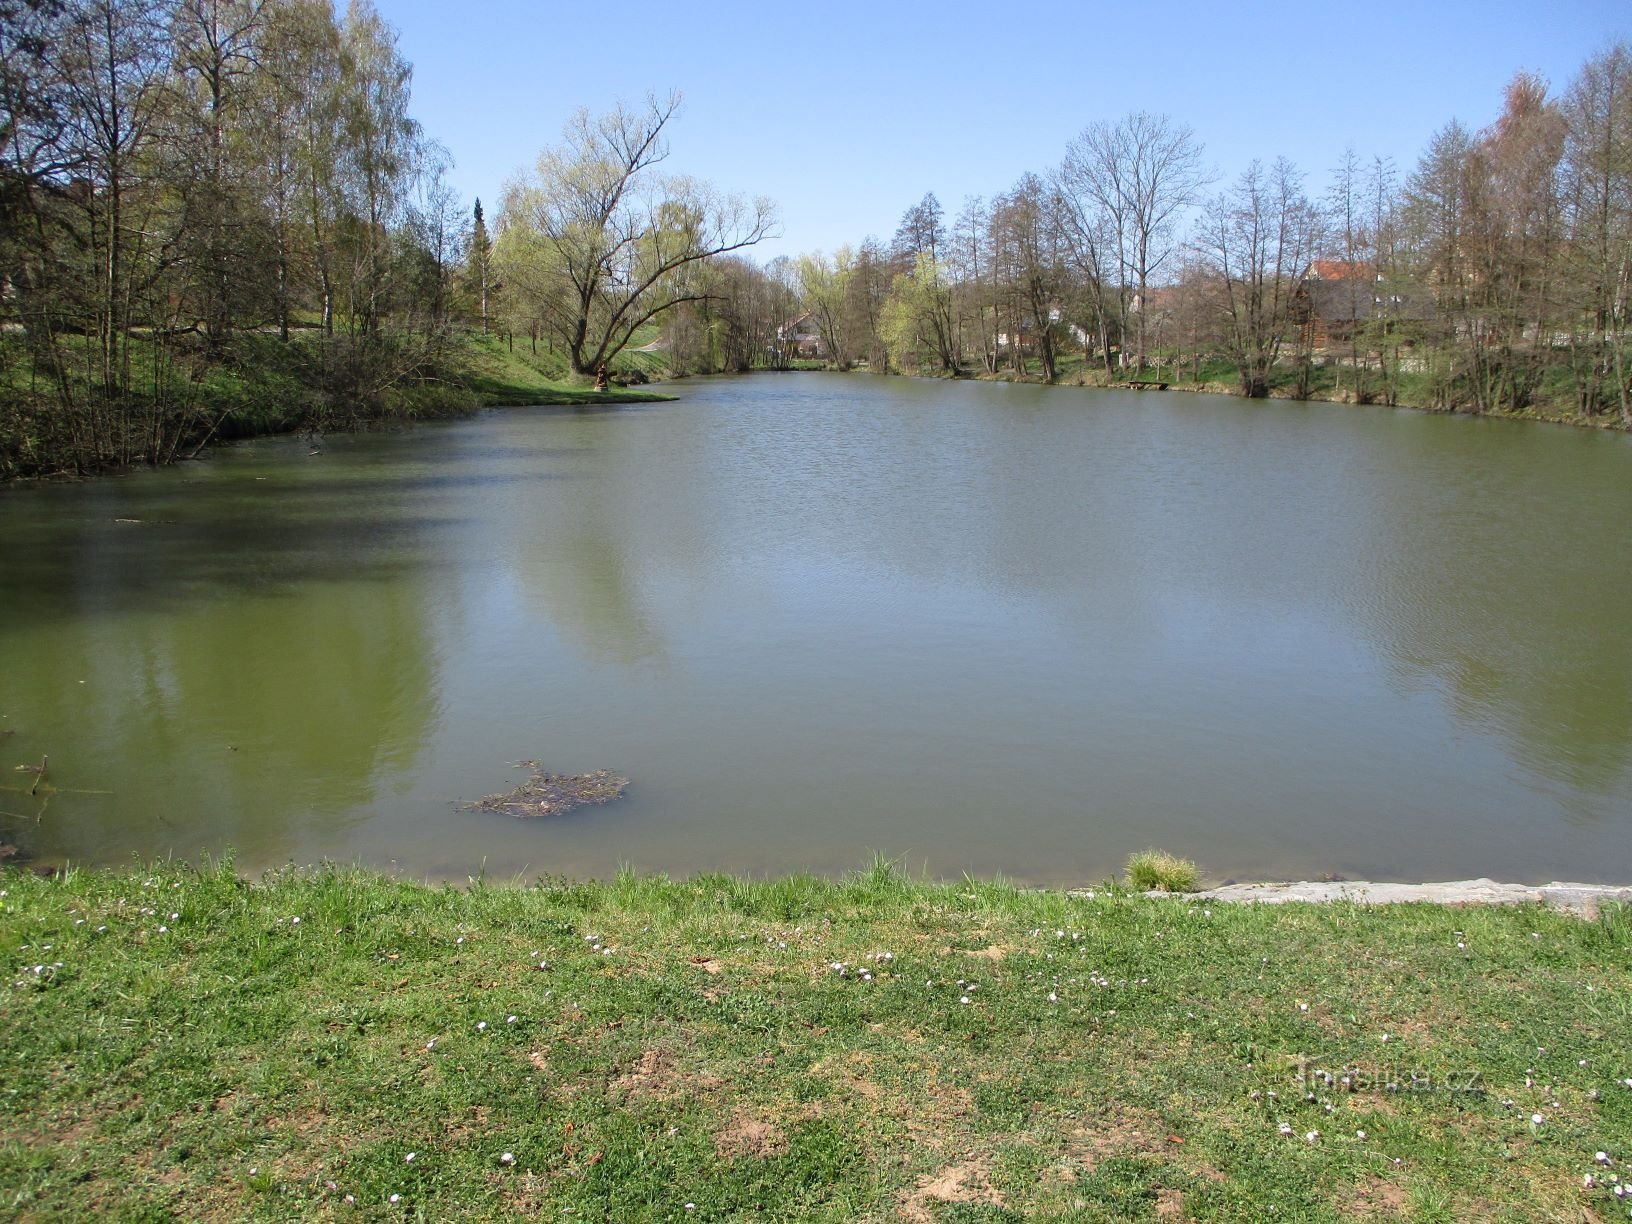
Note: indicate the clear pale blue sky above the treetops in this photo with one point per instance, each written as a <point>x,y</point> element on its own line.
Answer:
<point>848,113</point>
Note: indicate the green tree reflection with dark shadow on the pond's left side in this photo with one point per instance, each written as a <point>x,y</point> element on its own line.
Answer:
<point>233,670</point>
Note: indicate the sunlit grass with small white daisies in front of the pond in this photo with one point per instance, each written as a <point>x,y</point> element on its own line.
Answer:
<point>314,1045</point>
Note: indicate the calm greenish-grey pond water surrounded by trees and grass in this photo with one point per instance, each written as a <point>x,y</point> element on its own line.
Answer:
<point>973,628</point>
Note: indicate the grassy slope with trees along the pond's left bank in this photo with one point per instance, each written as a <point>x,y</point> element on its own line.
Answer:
<point>220,218</point>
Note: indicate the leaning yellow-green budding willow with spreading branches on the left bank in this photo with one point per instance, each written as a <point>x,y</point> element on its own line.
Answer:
<point>598,244</point>
